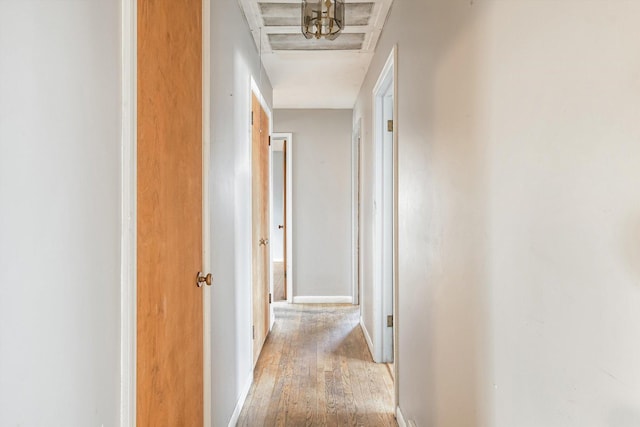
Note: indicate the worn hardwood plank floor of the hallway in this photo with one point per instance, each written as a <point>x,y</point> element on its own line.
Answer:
<point>316,370</point>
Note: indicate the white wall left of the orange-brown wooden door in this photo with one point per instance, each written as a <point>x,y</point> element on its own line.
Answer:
<point>59,213</point>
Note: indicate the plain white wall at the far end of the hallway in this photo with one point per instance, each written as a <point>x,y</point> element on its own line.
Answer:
<point>321,199</point>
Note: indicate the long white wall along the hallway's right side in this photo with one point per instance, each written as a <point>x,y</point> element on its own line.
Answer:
<point>519,211</point>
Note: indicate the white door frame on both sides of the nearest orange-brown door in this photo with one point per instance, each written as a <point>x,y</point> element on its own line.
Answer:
<point>128,238</point>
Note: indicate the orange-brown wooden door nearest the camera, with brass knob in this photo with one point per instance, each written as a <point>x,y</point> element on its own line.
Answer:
<point>169,226</point>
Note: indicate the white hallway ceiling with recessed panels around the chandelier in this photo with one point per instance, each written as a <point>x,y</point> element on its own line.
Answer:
<point>315,73</point>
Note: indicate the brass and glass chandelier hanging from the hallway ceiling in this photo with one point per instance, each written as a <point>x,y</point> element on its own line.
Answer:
<point>322,18</point>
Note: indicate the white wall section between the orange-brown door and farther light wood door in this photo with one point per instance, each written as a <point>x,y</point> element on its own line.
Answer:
<point>234,59</point>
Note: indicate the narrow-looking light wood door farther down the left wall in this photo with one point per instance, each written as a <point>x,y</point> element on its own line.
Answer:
<point>260,232</point>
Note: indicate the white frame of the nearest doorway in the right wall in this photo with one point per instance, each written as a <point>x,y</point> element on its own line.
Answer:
<point>387,81</point>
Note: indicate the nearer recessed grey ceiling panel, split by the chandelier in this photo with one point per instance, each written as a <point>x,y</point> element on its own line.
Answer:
<point>288,14</point>
